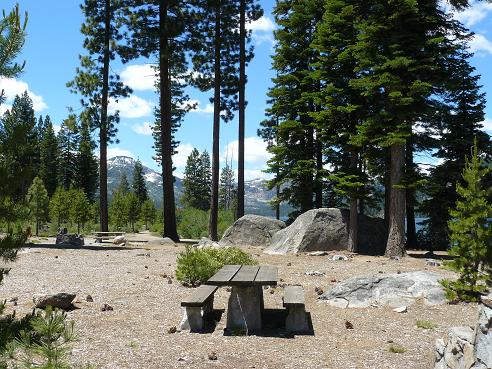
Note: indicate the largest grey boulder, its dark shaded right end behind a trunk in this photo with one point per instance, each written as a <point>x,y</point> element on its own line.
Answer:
<point>326,229</point>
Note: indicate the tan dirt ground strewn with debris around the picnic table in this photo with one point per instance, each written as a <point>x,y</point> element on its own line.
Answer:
<point>135,334</point>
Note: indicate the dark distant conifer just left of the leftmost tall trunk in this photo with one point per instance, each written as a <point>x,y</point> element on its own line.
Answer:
<point>86,164</point>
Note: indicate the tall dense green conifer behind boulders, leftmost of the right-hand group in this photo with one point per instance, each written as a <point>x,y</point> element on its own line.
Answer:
<point>294,161</point>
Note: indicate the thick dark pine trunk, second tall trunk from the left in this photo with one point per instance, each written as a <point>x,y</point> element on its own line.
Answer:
<point>166,143</point>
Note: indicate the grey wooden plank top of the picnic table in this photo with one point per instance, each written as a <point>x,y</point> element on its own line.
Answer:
<point>245,275</point>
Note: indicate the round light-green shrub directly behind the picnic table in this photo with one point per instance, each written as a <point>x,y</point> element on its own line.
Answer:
<point>196,266</point>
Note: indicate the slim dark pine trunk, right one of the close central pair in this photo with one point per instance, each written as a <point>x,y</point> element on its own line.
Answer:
<point>242,108</point>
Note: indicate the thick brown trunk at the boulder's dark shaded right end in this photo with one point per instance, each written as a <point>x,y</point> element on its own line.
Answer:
<point>396,237</point>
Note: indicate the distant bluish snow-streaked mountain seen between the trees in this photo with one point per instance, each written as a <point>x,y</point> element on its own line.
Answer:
<point>257,196</point>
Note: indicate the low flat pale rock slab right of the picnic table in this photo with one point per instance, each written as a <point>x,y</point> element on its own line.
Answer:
<point>391,289</point>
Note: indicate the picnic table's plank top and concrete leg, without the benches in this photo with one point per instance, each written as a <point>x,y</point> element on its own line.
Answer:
<point>245,305</point>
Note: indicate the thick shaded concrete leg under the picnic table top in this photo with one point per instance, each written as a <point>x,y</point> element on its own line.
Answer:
<point>244,310</point>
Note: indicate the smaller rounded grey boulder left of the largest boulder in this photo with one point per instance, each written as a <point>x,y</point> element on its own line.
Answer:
<point>251,230</point>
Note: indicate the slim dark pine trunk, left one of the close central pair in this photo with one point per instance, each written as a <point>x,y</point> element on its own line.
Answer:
<point>214,206</point>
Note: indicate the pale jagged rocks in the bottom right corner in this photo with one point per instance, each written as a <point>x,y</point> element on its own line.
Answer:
<point>465,348</point>
